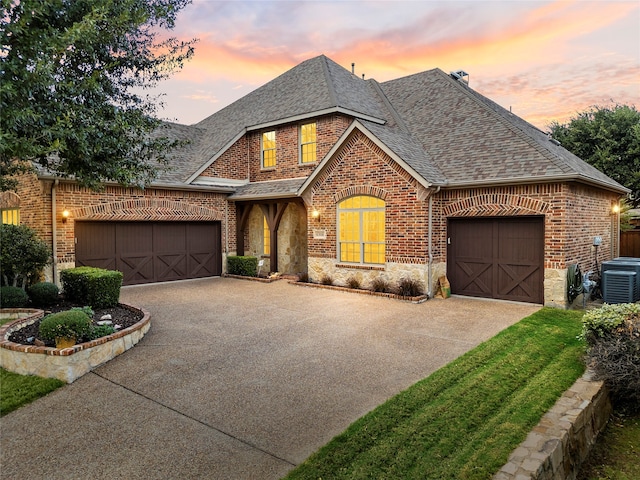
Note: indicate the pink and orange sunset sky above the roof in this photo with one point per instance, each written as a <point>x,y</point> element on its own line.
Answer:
<point>546,60</point>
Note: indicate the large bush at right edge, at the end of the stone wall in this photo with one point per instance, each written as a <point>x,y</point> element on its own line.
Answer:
<point>613,336</point>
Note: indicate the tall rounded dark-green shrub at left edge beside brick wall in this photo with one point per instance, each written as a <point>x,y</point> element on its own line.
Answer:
<point>22,255</point>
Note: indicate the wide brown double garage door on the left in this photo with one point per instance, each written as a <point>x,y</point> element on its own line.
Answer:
<point>148,252</point>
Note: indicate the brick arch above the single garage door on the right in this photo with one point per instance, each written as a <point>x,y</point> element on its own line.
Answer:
<point>498,205</point>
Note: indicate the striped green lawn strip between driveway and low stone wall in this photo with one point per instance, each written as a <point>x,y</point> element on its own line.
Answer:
<point>463,421</point>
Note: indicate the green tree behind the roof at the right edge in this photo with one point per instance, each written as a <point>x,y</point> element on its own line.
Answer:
<point>609,139</point>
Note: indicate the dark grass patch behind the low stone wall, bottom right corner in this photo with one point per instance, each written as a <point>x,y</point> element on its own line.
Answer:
<point>616,454</point>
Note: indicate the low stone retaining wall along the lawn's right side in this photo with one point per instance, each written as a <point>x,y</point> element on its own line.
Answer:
<point>557,446</point>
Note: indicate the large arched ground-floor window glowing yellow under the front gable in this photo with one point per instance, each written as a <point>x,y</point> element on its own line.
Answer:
<point>361,230</point>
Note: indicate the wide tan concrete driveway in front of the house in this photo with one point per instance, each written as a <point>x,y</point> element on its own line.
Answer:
<point>240,380</point>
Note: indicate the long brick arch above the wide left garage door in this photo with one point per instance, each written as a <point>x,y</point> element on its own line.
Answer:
<point>146,209</point>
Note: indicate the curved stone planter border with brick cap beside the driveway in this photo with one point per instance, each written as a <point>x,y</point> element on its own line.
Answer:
<point>67,364</point>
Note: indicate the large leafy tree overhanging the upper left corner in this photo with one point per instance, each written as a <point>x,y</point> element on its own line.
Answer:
<point>71,77</point>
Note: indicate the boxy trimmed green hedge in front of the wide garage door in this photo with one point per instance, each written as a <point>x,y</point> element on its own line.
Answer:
<point>97,287</point>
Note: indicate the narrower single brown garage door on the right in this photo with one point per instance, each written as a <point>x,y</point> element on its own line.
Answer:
<point>497,258</point>
